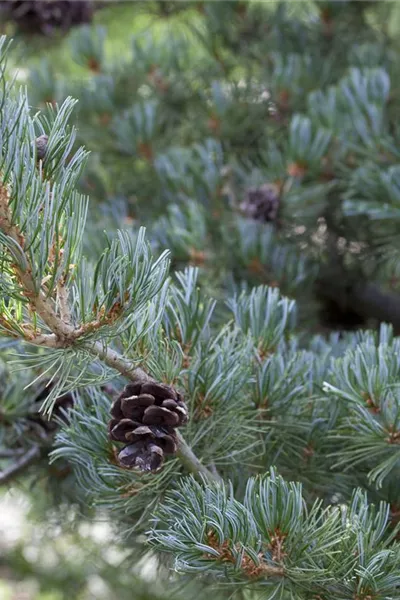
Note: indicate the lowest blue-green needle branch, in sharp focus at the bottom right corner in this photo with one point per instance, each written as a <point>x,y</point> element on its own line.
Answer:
<point>271,540</point>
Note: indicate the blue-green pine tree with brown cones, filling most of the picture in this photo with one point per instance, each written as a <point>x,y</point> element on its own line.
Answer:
<point>224,384</point>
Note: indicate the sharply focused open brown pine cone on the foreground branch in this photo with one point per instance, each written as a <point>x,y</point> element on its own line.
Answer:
<point>146,415</point>
